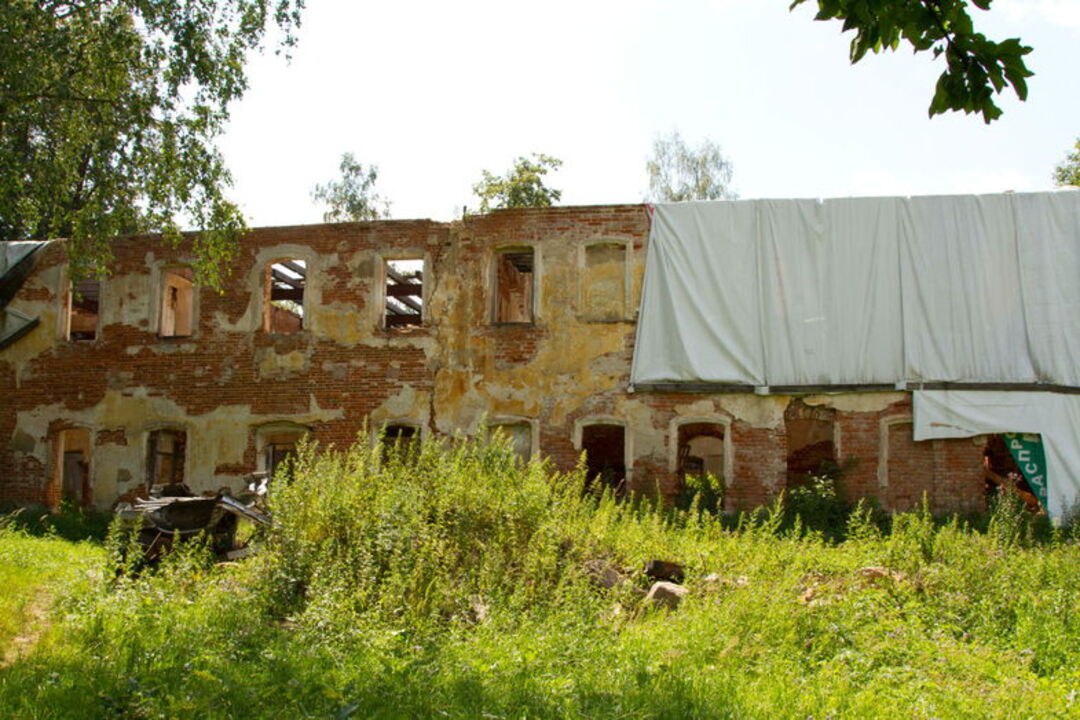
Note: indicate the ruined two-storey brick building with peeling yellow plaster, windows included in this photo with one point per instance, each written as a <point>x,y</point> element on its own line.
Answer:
<point>523,320</point>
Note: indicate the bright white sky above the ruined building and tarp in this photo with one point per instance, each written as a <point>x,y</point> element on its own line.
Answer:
<point>434,92</point>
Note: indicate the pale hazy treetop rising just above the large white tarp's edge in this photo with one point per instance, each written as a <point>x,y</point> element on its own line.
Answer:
<point>679,173</point>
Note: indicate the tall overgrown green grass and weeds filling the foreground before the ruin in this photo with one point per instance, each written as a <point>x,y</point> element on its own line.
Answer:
<point>453,583</point>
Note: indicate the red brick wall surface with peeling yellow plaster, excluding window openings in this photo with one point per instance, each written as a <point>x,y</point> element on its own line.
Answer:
<point>560,372</point>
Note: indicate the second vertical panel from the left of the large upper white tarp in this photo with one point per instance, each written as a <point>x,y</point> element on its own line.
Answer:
<point>830,292</point>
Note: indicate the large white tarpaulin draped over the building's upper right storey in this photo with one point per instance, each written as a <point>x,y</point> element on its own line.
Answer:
<point>857,292</point>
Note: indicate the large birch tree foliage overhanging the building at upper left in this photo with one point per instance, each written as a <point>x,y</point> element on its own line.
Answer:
<point>109,115</point>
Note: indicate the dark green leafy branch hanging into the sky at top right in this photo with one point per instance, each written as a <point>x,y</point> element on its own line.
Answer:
<point>977,69</point>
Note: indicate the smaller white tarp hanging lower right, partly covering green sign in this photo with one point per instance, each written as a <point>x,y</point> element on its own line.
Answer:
<point>1055,416</point>
